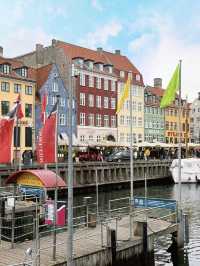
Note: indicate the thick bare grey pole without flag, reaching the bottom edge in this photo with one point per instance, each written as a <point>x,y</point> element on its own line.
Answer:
<point>70,175</point>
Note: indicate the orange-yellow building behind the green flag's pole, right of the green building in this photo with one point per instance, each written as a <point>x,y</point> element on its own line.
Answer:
<point>172,123</point>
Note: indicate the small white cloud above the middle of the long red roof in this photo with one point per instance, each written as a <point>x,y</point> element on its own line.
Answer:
<point>101,36</point>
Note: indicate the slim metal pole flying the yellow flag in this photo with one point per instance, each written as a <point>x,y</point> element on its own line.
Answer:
<point>131,143</point>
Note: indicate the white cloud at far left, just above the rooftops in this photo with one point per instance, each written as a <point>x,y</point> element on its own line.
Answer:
<point>23,40</point>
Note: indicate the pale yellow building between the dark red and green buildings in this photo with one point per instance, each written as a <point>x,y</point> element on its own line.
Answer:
<point>124,118</point>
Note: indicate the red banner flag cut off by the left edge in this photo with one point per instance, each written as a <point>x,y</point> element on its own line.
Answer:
<point>6,134</point>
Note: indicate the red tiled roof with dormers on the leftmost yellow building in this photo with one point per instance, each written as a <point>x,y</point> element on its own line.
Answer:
<point>15,64</point>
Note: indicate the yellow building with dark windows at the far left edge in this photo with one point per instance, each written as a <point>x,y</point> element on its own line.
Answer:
<point>15,79</point>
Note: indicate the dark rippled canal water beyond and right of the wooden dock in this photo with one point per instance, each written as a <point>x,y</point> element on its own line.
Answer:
<point>190,203</point>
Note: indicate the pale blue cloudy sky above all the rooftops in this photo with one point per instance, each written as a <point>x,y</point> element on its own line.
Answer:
<point>154,34</point>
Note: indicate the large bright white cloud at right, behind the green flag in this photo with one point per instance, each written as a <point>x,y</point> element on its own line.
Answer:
<point>158,49</point>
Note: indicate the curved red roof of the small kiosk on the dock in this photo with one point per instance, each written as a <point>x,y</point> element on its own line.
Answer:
<point>47,177</point>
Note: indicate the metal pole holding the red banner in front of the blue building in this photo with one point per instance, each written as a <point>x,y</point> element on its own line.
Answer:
<point>56,185</point>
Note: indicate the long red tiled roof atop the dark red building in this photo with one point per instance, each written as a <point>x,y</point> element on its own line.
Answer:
<point>119,62</point>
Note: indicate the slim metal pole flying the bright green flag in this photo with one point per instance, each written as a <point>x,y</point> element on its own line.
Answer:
<point>179,134</point>
